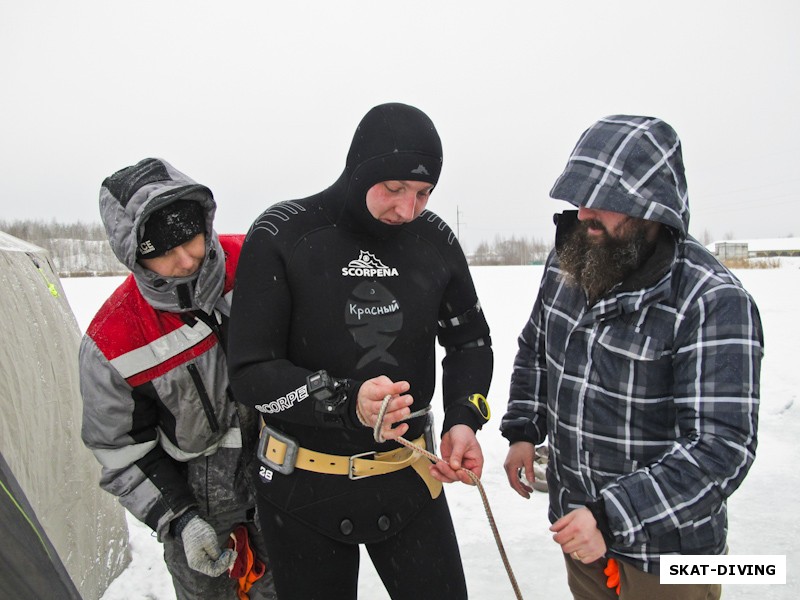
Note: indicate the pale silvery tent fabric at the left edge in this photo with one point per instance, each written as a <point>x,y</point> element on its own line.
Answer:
<point>40,417</point>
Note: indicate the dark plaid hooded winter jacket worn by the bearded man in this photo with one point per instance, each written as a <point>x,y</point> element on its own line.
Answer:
<point>649,398</point>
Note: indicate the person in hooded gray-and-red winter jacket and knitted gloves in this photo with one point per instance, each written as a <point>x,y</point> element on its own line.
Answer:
<point>158,415</point>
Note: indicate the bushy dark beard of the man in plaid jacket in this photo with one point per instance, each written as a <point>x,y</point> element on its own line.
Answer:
<point>598,264</point>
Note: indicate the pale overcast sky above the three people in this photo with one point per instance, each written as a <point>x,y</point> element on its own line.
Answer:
<point>259,100</point>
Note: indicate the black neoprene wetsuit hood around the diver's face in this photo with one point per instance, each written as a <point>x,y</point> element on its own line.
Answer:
<point>392,142</point>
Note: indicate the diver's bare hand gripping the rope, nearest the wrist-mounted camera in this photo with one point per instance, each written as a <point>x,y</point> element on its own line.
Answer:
<point>369,401</point>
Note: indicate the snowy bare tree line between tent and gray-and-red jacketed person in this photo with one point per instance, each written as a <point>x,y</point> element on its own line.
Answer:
<point>77,249</point>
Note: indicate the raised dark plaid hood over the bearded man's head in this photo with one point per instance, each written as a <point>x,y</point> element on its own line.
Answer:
<point>630,165</point>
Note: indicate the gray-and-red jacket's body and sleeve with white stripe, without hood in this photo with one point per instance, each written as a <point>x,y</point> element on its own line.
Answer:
<point>155,390</point>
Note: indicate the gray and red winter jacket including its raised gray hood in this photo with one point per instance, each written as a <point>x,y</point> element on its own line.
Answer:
<point>152,363</point>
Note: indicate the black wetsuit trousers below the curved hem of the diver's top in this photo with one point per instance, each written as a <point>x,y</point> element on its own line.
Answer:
<point>421,561</point>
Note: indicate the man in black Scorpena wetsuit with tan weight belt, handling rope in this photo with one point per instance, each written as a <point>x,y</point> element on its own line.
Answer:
<point>338,303</point>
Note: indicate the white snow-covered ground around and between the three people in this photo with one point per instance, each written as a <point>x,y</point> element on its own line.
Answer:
<point>763,512</point>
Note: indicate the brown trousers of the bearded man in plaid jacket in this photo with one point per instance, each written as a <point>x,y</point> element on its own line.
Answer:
<point>588,582</point>
